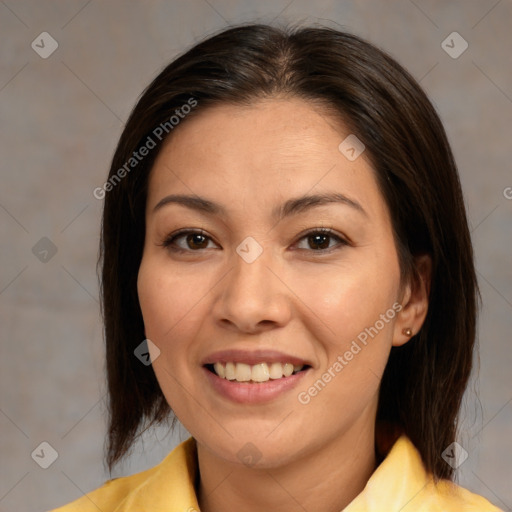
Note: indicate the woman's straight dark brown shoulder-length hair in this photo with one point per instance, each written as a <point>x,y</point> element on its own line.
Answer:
<point>424,381</point>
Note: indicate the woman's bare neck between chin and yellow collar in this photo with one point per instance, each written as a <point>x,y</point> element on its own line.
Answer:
<point>326,479</point>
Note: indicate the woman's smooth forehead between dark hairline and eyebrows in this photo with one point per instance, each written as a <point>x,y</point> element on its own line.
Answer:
<point>259,153</point>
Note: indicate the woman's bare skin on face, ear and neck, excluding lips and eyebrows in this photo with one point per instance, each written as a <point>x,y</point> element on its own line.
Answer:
<point>294,298</point>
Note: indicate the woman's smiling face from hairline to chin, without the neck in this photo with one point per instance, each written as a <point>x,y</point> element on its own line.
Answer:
<point>258,288</point>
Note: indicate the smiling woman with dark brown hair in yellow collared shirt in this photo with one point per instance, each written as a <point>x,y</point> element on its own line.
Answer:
<point>284,239</point>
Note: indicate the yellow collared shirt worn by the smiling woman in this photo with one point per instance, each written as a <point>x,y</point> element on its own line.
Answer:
<point>399,484</point>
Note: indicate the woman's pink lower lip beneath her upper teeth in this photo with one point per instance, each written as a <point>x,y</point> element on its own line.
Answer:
<point>253,393</point>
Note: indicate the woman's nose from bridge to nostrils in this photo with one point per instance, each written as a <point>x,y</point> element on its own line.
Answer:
<point>252,297</point>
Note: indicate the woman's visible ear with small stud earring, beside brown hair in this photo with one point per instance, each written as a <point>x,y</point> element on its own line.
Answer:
<point>415,297</point>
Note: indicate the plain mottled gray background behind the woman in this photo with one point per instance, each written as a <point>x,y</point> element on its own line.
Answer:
<point>60,120</point>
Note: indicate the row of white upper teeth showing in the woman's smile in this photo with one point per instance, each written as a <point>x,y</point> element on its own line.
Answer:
<point>261,372</point>
